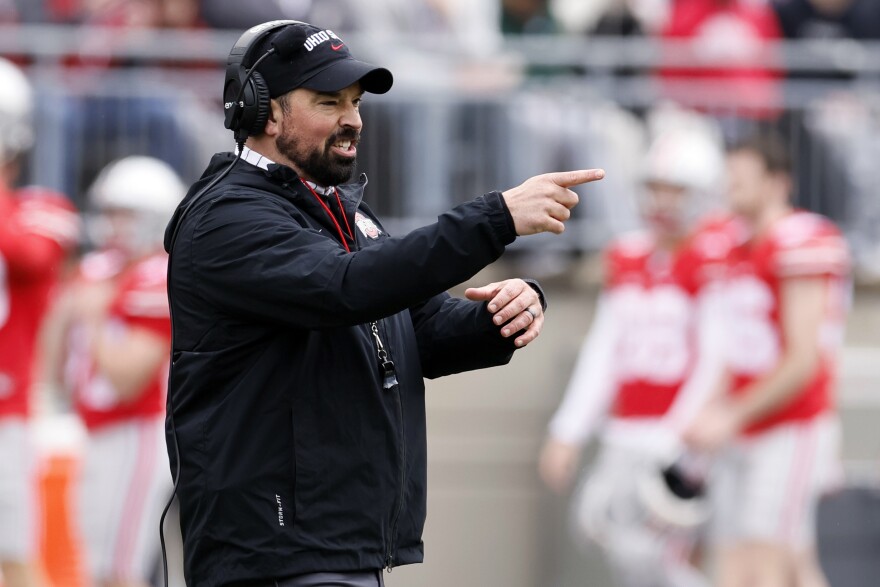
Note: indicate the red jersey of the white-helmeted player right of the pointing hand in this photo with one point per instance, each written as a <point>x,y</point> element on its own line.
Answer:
<point>654,297</point>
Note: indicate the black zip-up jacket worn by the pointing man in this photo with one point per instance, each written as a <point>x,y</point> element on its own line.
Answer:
<point>297,452</point>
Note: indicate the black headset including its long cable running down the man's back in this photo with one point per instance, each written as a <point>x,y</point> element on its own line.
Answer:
<point>246,102</point>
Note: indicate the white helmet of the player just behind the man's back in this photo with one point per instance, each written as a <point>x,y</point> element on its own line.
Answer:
<point>148,188</point>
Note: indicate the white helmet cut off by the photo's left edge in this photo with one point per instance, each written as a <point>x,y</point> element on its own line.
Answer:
<point>16,111</point>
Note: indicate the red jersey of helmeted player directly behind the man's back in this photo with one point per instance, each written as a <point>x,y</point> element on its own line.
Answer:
<point>140,301</point>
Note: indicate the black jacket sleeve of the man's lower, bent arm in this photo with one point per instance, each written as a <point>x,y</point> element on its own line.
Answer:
<point>456,335</point>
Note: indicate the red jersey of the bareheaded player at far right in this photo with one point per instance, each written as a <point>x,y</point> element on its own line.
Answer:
<point>801,244</point>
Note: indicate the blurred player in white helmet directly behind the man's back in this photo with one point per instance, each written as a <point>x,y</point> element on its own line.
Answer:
<point>116,334</point>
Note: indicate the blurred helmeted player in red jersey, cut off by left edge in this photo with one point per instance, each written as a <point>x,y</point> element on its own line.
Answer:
<point>37,230</point>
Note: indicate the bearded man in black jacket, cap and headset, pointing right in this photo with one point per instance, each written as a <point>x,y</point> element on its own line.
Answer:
<point>303,331</point>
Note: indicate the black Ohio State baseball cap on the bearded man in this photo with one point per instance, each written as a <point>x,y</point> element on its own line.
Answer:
<point>310,57</point>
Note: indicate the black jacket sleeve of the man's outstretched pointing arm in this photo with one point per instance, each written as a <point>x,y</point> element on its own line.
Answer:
<point>250,257</point>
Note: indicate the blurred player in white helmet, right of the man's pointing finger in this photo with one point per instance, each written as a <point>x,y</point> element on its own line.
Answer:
<point>645,367</point>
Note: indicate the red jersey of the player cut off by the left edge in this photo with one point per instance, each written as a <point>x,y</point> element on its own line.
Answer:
<point>37,230</point>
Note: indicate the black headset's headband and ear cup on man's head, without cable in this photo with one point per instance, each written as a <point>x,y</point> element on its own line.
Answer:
<point>245,93</point>
